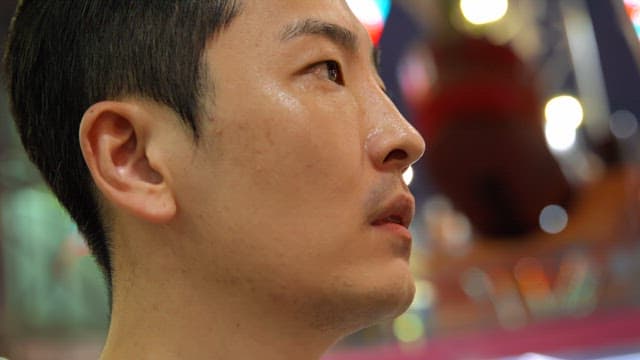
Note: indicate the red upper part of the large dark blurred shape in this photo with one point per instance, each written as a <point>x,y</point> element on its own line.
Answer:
<point>473,76</point>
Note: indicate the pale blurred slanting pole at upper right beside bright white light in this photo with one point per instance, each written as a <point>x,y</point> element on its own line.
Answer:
<point>585,57</point>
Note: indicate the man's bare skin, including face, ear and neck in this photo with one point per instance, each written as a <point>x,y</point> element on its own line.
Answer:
<point>284,227</point>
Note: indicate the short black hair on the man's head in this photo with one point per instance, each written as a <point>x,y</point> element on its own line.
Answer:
<point>63,56</point>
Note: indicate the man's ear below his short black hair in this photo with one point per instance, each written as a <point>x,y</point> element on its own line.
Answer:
<point>115,138</point>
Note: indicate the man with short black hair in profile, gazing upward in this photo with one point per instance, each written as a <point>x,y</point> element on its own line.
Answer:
<point>242,188</point>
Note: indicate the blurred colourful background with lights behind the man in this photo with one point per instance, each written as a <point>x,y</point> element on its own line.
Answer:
<point>527,234</point>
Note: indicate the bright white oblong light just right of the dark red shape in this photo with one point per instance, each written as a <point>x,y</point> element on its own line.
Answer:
<point>564,115</point>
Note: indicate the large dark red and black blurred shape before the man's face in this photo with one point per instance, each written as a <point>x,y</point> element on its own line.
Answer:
<point>487,151</point>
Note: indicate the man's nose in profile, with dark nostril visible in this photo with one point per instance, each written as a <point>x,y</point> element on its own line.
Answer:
<point>393,143</point>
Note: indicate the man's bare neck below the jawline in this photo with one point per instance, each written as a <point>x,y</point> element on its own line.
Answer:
<point>172,316</point>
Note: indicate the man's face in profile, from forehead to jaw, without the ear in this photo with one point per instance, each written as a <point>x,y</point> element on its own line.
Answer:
<point>293,190</point>
